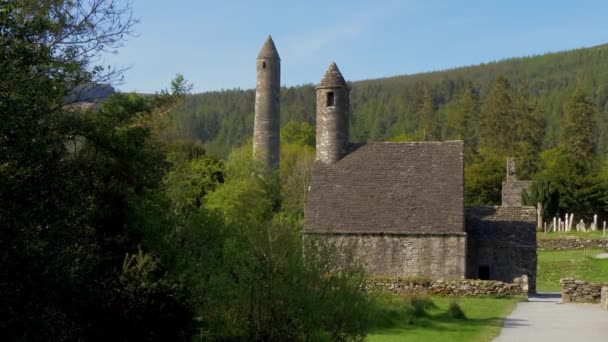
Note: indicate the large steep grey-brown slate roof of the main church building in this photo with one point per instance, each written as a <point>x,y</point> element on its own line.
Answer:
<point>389,188</point>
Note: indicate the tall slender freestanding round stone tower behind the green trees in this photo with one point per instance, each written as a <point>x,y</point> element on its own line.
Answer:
<point>267,124</point>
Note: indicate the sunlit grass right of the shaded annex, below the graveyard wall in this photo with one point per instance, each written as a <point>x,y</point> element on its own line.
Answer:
<point>554,265</point>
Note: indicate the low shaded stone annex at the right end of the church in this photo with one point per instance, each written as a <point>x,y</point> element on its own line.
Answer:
<point>501,243</point>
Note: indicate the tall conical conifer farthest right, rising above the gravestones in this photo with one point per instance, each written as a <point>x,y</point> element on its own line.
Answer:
<point>578,135</point>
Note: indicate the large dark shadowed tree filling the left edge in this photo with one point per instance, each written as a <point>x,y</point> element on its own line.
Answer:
<point>65,215</point>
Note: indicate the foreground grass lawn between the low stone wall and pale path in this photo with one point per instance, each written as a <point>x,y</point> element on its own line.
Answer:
<point>395,320</point>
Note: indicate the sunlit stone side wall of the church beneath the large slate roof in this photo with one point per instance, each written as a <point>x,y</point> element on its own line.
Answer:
<point>406,255</point>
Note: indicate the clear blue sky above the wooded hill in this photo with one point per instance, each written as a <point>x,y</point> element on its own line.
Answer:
<point>215,43</point>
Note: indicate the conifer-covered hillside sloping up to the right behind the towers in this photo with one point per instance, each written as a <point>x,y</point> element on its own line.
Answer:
<point>385,108</point>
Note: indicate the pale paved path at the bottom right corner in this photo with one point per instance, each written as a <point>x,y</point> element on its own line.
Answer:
<point>544,319</point>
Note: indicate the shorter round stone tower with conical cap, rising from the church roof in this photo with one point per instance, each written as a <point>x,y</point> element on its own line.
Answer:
<point>333,107</point>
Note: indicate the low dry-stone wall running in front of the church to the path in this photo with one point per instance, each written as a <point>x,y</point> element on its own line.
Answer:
<point>452,287</point>
